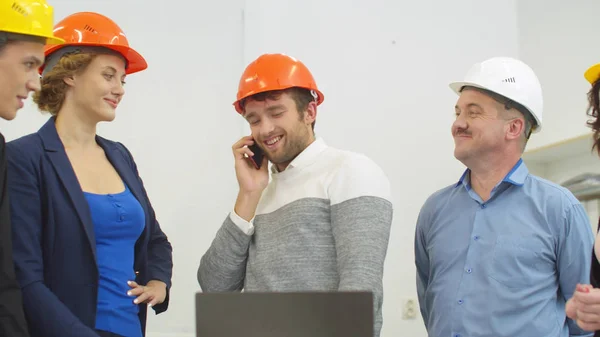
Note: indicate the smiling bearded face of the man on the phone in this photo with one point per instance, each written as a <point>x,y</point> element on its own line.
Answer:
<point>279,128</point>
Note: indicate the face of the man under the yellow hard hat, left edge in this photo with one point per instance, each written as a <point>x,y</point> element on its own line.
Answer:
<point>19,63</point>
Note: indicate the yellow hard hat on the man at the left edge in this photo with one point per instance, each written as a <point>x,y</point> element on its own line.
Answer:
<point>28,17</point>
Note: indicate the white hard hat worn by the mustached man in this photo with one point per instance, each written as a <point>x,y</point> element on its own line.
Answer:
<point>510,78</point>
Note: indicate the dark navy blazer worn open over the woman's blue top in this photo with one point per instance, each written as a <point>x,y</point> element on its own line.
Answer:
<point>53,235</point>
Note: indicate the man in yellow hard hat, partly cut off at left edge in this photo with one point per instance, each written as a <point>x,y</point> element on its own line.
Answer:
<point>25,27</point>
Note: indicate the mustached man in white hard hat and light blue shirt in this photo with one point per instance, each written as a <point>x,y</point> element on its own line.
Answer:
<point>499,252</point>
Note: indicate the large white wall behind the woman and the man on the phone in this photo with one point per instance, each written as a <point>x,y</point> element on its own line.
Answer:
<point>383,66</point>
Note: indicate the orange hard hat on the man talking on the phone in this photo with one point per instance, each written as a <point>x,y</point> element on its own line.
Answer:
<point>275,72</point>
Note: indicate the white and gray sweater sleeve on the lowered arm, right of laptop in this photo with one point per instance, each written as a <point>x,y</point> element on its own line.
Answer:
<point>361,217</point>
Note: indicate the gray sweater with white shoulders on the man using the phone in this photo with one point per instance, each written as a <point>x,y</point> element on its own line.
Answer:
<point>322,225</point>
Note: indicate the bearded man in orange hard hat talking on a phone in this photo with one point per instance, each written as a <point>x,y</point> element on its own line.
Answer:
<point>322,223</point>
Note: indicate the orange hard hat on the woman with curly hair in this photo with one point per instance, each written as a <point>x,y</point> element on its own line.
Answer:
<point>95,30</point>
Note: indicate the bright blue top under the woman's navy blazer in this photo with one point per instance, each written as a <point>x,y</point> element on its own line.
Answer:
<point>118,222</point>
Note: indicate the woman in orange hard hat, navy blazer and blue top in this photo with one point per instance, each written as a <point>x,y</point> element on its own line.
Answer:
<point>89,253</point>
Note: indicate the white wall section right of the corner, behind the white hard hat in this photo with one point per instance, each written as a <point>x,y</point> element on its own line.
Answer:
<point>559,40</point>
